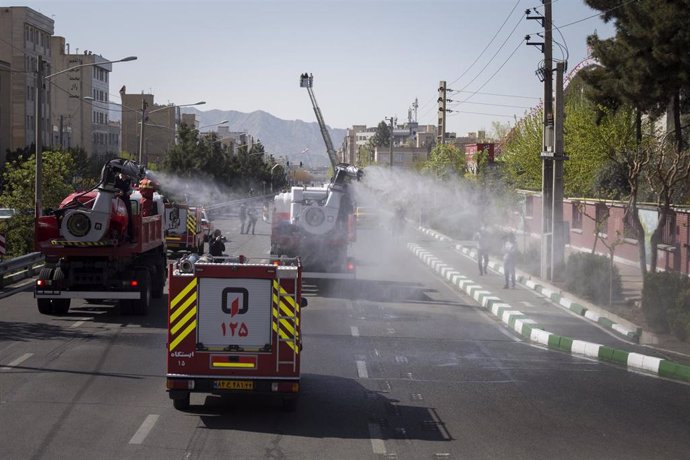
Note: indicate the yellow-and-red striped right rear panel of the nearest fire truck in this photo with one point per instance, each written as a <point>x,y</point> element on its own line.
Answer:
<point>292,319</point>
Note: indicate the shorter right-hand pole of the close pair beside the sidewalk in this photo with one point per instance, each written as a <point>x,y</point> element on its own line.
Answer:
<point>558,228</point>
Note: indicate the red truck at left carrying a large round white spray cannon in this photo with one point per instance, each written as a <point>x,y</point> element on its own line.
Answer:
<point>88,254</point>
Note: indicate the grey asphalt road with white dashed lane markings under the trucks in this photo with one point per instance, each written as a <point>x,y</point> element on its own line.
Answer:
<point>396,364</point>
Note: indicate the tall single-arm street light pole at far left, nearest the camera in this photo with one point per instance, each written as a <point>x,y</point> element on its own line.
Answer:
<point>38,132</point>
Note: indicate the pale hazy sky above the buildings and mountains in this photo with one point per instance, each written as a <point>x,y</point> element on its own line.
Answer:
<point>370,59</point>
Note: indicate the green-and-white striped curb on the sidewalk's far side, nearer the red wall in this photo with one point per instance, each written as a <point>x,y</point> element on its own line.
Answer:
<point>547,291</point>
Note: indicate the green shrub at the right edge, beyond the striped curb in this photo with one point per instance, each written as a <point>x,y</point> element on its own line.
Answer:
<point>663,299</point>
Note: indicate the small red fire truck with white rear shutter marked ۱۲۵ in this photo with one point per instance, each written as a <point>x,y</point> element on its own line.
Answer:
<point>234,327</point>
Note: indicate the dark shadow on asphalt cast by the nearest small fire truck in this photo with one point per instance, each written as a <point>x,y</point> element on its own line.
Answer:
<point>329,407</point>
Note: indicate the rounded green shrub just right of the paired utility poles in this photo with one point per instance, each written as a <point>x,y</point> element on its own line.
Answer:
<point>591,276</point>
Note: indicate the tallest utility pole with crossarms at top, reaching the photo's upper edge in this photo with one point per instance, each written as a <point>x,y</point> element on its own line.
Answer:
<point>545,72</point>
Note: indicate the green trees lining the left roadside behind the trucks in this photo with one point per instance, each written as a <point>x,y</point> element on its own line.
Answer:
<point>195,157</point>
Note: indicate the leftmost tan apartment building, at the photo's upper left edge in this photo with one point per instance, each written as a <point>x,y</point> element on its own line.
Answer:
<point>24,39</point>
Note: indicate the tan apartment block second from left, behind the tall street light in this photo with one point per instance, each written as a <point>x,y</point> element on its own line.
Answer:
<point>80,102</point>
